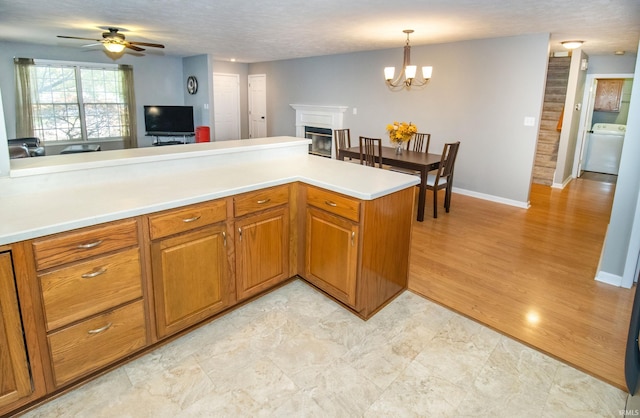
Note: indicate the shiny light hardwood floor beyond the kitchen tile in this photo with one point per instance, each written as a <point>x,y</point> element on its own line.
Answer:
<point>529,273</point>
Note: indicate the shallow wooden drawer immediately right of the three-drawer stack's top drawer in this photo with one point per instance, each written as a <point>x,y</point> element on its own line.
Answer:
<point>187,218</point>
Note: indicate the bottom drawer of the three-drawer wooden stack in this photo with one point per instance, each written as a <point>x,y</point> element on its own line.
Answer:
<point>96,342</point>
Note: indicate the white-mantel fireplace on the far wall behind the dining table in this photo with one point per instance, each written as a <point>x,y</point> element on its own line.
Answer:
<point>317,123</point>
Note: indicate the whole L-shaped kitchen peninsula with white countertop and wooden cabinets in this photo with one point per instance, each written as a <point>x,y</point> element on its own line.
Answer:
<point>104,256</point>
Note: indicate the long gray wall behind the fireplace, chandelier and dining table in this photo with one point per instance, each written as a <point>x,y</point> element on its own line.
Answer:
<point>480,93</point>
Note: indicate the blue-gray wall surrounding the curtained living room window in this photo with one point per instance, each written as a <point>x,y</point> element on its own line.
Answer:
<point>158,78</point>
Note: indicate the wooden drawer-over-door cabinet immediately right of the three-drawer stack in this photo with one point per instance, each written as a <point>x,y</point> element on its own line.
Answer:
<point>191,279</point>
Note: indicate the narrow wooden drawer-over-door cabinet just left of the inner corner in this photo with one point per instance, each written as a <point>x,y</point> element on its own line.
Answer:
<point>261,240</point>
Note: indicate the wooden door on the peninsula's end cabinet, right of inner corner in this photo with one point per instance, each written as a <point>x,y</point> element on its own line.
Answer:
<point>331,257</point>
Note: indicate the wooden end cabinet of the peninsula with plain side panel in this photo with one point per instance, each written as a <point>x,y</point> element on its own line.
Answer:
<point>358,251</point>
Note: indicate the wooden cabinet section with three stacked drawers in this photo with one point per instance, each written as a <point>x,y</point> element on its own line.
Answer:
<point>91,290</point>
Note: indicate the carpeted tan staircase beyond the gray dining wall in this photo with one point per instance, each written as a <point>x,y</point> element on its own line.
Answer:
<point>549,134</point>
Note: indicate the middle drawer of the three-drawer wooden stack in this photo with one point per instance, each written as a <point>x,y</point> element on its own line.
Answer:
<point>74,293</point>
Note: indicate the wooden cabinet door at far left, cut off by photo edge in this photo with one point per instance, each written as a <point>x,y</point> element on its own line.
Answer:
<point>15,381</point>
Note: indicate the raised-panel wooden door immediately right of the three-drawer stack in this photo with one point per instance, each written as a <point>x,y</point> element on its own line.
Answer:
<point>190,278</point>
